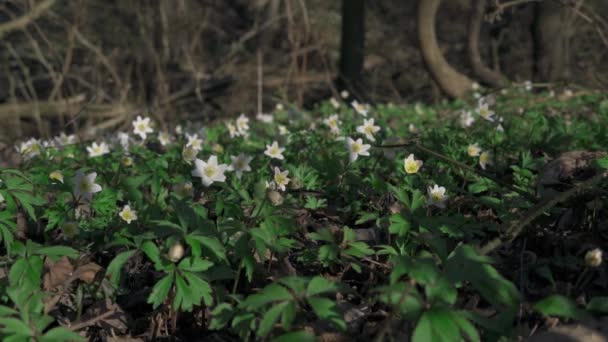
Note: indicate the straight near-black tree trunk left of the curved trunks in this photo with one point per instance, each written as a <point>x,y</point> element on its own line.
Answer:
<point>352,45</point>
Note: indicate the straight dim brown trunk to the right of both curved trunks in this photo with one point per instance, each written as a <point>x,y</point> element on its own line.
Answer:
<point>549,40</point>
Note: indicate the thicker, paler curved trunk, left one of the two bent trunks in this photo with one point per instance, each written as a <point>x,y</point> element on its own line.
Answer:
<point>449,79</point>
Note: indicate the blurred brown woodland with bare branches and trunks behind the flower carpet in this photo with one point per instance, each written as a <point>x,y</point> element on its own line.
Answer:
<point>96,64</point>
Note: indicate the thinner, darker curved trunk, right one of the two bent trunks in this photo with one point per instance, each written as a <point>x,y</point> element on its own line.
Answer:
<point>487,75</point>
